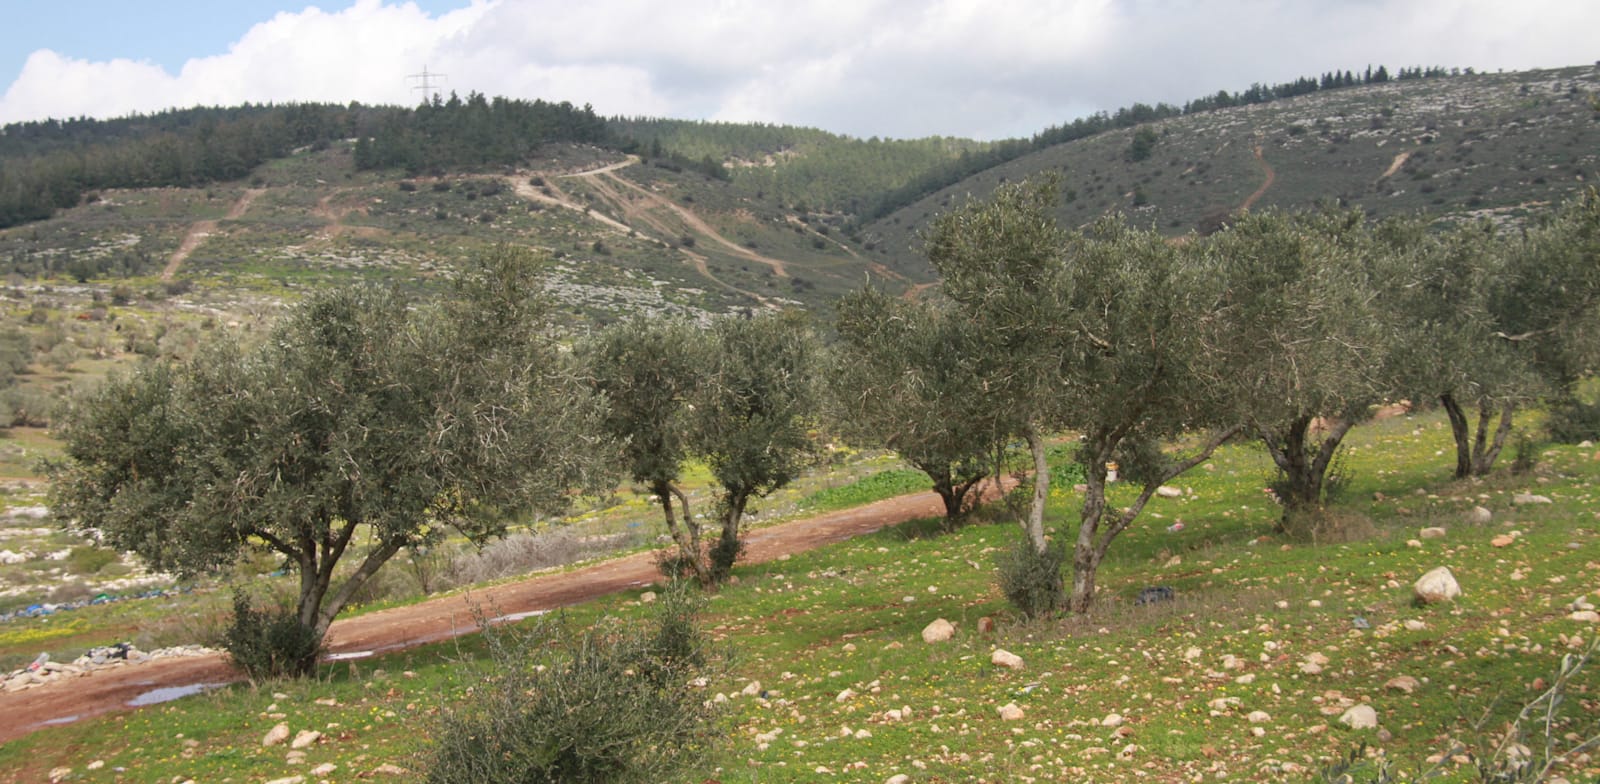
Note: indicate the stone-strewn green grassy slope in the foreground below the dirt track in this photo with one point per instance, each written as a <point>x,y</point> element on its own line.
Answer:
<point>849,617</point>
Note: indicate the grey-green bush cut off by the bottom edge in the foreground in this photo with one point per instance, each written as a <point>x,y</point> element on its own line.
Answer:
<point>612,705</point>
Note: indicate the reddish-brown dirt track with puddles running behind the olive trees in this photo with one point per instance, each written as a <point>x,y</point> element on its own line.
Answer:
<point>442,618</point>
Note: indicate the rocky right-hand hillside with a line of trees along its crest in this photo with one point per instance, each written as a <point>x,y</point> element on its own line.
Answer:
<point>1494,146</point>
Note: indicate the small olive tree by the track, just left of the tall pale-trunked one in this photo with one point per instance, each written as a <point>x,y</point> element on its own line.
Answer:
<point>913,377</point>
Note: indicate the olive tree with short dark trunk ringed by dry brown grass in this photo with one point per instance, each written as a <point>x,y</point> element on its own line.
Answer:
<point>1305,342</point>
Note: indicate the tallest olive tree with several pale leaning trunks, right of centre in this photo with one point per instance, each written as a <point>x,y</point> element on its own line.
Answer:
<point>1105,332</point>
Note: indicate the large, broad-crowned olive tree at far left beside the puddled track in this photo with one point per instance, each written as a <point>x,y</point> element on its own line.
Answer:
<point>361,426</point>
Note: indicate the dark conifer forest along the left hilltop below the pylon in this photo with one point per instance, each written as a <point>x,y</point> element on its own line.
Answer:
<point>50,166</point>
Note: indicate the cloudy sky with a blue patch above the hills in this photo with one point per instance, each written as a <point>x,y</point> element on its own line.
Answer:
<point>866,68</point>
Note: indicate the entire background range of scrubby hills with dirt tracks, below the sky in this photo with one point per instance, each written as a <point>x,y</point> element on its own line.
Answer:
<point>703,218</point>
